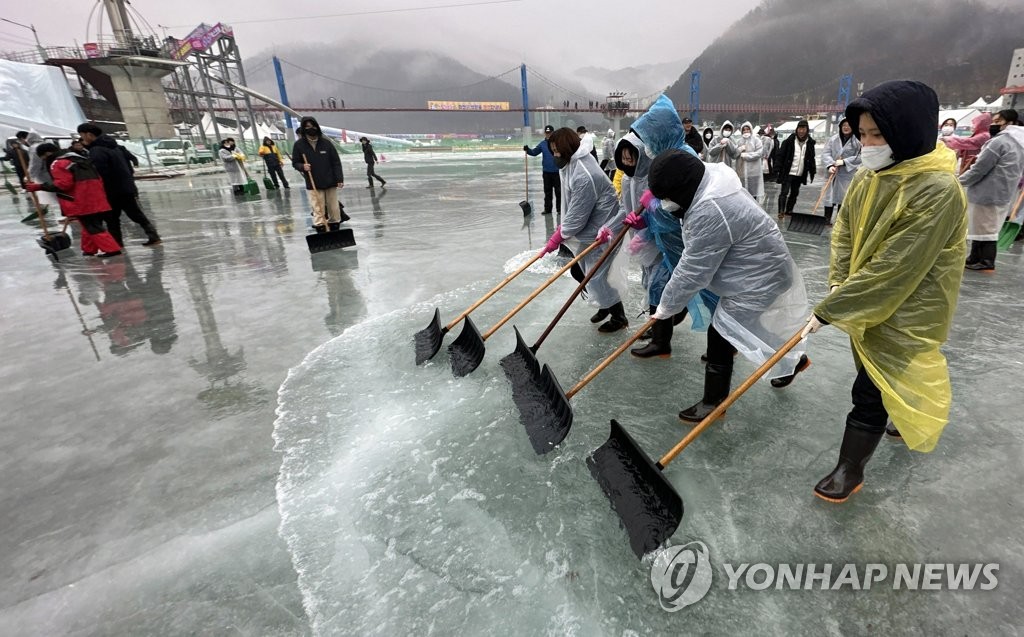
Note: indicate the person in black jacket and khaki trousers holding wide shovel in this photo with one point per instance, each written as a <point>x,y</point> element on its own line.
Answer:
<point>318,160</point>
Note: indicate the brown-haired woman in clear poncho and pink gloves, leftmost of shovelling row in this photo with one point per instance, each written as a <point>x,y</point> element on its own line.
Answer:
<point>590,205</point>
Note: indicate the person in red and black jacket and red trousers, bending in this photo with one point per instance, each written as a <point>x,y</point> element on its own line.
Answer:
<point>81,194</point>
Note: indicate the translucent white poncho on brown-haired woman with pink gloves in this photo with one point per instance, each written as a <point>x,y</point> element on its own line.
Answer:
<point>588,203</point>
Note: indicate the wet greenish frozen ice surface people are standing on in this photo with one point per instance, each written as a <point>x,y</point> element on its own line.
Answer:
<point>155,493</point>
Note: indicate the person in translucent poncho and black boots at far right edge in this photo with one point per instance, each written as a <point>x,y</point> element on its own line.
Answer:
<point>992,185</point>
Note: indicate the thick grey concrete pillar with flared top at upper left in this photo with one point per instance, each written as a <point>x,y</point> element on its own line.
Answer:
<point>141,95</point>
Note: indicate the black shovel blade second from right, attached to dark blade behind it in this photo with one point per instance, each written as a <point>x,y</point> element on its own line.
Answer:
<point>545,412</point>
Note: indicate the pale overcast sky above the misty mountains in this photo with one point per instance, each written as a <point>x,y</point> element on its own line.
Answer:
<point>487,37</point>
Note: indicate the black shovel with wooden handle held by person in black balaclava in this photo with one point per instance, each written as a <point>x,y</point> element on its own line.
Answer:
<point>544,408</point>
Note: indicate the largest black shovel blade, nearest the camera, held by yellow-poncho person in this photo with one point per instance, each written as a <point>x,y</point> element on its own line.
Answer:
<point>648,504</point>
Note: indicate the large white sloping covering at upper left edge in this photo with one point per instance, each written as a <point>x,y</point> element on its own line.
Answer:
<point>36,98</point>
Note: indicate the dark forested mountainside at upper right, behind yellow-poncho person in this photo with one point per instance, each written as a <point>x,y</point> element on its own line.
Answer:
<point>794,52</point>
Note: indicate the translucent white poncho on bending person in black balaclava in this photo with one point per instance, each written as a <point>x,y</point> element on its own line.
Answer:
<point>737,251</point>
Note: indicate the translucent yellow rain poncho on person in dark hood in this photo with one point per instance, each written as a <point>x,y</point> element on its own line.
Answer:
<point>898,254</point>
